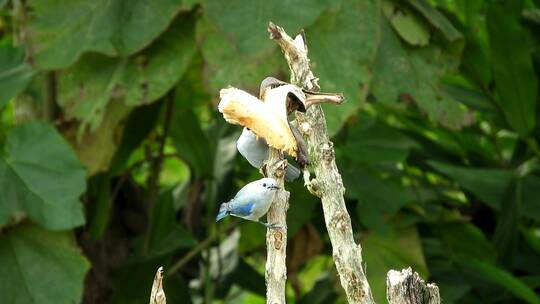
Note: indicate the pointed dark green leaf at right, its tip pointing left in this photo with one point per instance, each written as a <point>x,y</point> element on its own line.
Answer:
<point>489,185</point>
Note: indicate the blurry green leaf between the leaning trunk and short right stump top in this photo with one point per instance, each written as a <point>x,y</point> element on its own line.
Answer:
<point>400,250</point>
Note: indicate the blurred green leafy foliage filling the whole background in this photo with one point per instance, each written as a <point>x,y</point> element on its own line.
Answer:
<point>114,159</point>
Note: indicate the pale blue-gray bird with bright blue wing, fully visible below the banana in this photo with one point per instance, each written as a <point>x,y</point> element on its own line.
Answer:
<point>252,201</point>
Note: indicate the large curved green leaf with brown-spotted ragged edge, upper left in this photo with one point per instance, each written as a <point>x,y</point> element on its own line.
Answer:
<point>87,87</point>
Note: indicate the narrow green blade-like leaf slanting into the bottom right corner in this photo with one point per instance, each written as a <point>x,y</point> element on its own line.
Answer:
<point>488,271</point>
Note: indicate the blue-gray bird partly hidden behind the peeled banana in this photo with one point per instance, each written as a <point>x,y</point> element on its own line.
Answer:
<point>256,150</point>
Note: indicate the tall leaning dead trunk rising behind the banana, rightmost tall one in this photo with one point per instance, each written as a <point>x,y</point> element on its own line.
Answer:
<point>328,184</point>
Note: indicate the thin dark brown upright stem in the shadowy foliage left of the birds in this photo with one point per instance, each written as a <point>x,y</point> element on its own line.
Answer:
<point>153,180</point>
